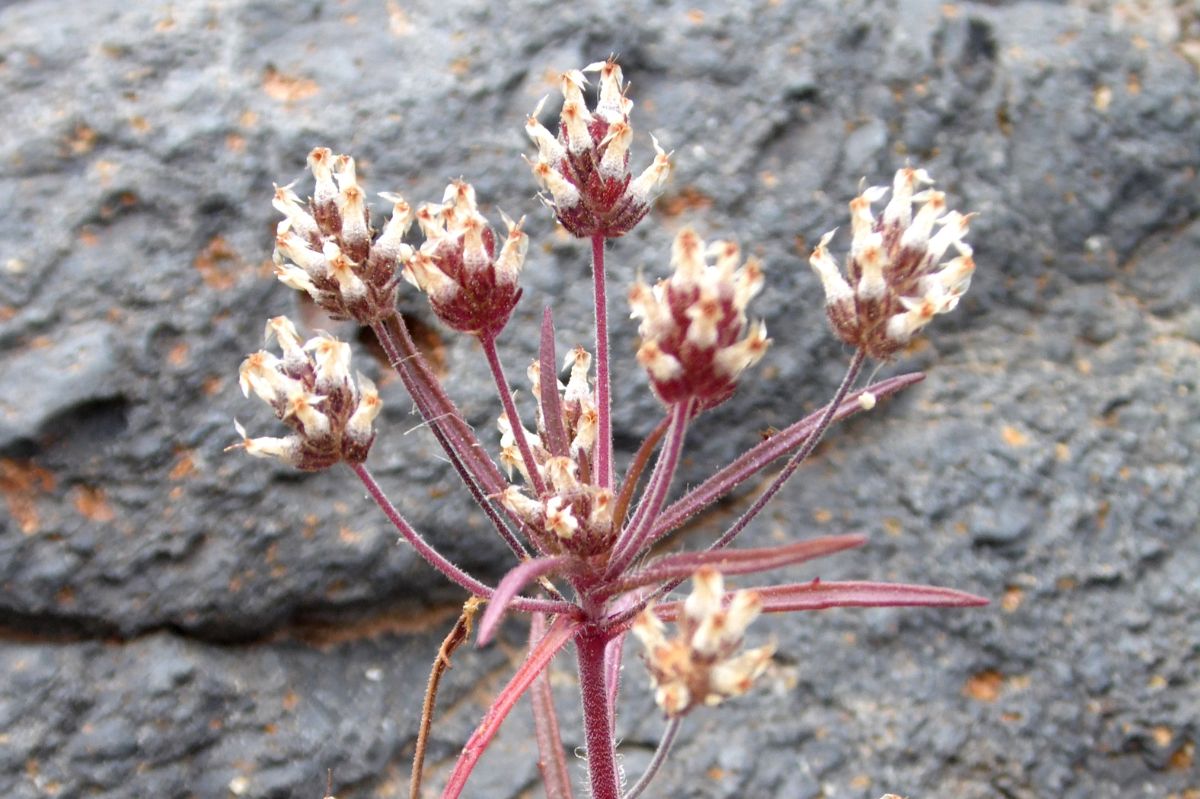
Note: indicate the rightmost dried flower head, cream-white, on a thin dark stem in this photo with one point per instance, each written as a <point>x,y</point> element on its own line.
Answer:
<point>896,283</point>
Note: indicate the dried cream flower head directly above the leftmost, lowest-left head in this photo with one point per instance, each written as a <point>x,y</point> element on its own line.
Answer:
<point>325,248</point>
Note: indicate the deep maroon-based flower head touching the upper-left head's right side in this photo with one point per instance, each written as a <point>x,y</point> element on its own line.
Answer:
<point>471,289</point>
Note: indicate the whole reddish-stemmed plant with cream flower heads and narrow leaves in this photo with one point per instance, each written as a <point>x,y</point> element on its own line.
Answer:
<point>583,532</point>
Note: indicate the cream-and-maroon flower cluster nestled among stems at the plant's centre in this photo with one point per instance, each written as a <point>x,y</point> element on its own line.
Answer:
<point>575,515</point>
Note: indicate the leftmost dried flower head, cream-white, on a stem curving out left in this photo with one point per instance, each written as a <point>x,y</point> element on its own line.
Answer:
<point>310,389</point>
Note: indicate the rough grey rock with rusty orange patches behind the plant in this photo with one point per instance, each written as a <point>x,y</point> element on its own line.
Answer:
<point>179,622</point>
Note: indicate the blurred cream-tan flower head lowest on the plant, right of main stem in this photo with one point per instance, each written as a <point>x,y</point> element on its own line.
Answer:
<point>703,664</point>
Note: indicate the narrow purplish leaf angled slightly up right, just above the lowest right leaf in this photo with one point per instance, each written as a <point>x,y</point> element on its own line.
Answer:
<point>740,562</point>
